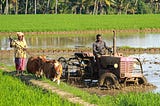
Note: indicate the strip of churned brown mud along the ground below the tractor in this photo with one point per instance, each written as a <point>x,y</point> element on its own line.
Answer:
<point>123,90</point>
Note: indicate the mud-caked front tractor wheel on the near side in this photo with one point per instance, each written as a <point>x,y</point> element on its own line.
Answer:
<point>109,81</point>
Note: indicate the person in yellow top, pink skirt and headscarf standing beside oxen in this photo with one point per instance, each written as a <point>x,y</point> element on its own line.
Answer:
<point>19,46</point>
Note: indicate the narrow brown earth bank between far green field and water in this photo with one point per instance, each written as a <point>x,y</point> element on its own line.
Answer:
<point>109,31</point>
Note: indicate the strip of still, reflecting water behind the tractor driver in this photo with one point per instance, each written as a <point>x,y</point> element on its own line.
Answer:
<point>67,41</point>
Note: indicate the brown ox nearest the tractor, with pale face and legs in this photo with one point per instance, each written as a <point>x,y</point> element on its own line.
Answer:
<point>52,69</point>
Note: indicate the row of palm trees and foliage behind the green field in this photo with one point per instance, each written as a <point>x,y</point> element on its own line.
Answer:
<point>79,6</point>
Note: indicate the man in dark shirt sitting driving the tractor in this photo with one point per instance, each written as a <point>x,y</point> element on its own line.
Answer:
<point>99,48</point>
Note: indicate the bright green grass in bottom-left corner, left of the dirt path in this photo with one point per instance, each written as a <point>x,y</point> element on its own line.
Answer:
<point>13,92</point>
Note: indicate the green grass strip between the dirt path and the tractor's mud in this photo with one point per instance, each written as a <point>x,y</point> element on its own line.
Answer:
<point>129,99</point>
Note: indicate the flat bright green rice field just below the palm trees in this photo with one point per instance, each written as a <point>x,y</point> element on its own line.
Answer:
<point>37,23</point>
